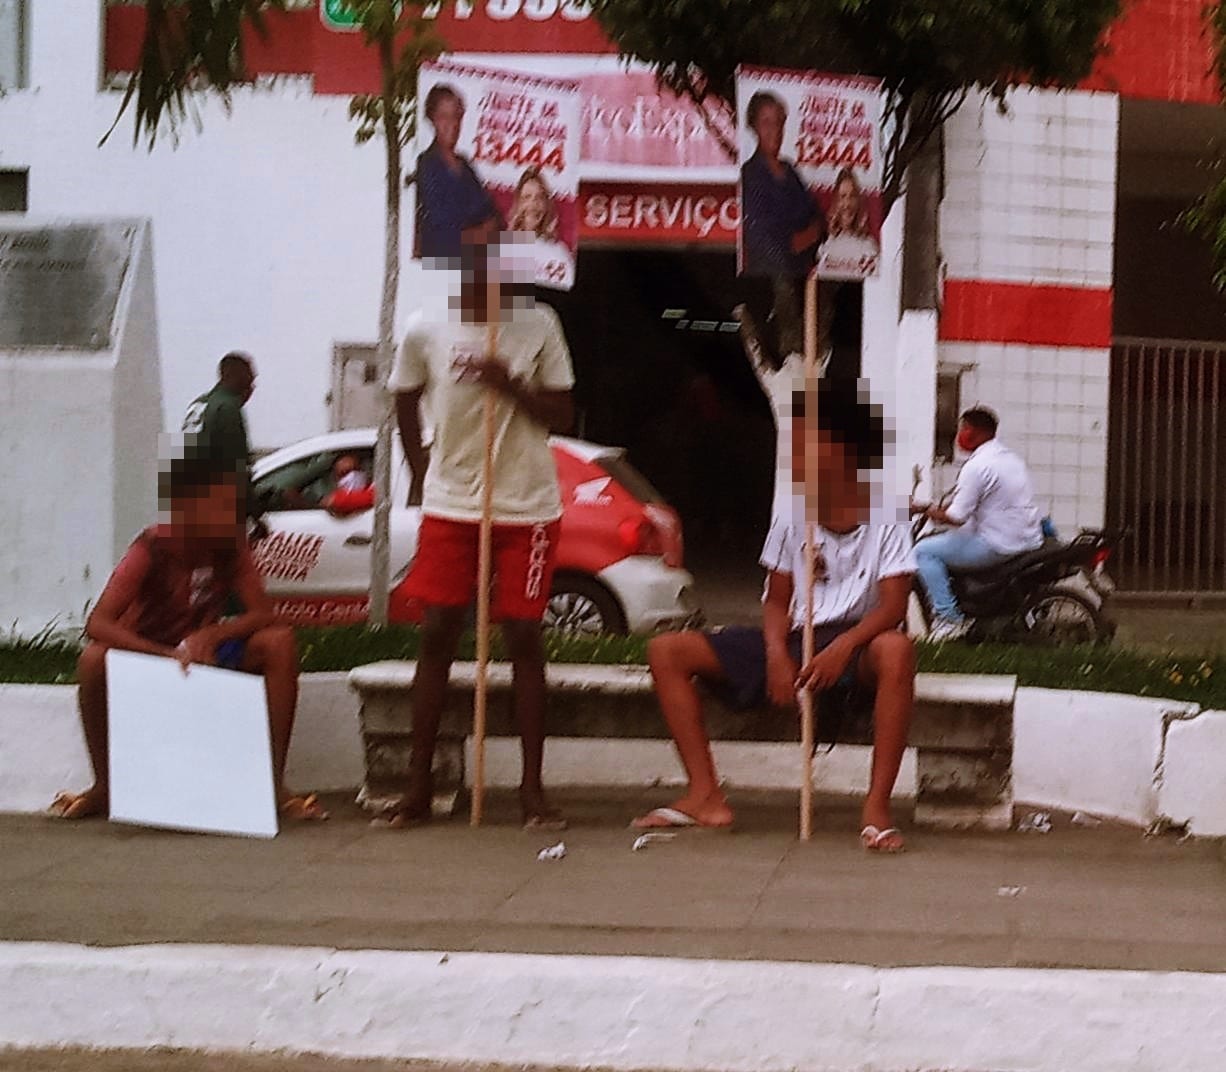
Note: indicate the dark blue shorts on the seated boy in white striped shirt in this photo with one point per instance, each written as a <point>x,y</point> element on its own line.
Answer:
<point>742,654</point>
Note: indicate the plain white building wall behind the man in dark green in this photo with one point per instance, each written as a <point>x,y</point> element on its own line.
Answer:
<point>268,221</point>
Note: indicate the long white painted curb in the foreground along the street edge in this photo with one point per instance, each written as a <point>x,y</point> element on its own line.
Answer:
<point>616,1013</point>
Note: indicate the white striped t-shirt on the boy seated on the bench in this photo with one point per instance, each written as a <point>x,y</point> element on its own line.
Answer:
<point>848,567</point>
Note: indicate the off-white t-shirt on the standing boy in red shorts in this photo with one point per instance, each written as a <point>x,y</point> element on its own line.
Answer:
<point>435,356</point>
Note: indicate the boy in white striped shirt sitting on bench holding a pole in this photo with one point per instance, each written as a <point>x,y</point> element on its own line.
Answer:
<point>862,583</point>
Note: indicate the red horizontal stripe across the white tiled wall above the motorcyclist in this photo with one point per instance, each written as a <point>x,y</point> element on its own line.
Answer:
<point>1038,316</point>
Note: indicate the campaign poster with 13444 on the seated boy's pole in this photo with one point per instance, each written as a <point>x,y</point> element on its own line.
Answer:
<point>811,174</point>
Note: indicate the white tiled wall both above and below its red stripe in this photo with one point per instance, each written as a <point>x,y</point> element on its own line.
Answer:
<point>1032,201</point>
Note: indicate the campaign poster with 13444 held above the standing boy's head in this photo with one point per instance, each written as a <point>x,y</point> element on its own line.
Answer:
<point>498,155</point>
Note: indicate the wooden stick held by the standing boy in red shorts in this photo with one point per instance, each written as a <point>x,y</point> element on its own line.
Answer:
<point>485,564</point>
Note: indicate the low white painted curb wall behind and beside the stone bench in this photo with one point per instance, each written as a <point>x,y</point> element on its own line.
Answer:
<point>1130,759</point>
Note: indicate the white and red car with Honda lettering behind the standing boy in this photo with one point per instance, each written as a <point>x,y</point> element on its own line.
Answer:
<point>620,551</point>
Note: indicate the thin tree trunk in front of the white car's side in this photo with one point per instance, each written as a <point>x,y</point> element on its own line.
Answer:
<point>381,549</point>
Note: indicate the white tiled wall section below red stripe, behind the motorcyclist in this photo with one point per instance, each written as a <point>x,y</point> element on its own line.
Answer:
<point>1053,404</point>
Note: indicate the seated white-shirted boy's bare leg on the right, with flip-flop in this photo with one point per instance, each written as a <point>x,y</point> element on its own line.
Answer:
<point>889,665</point>
